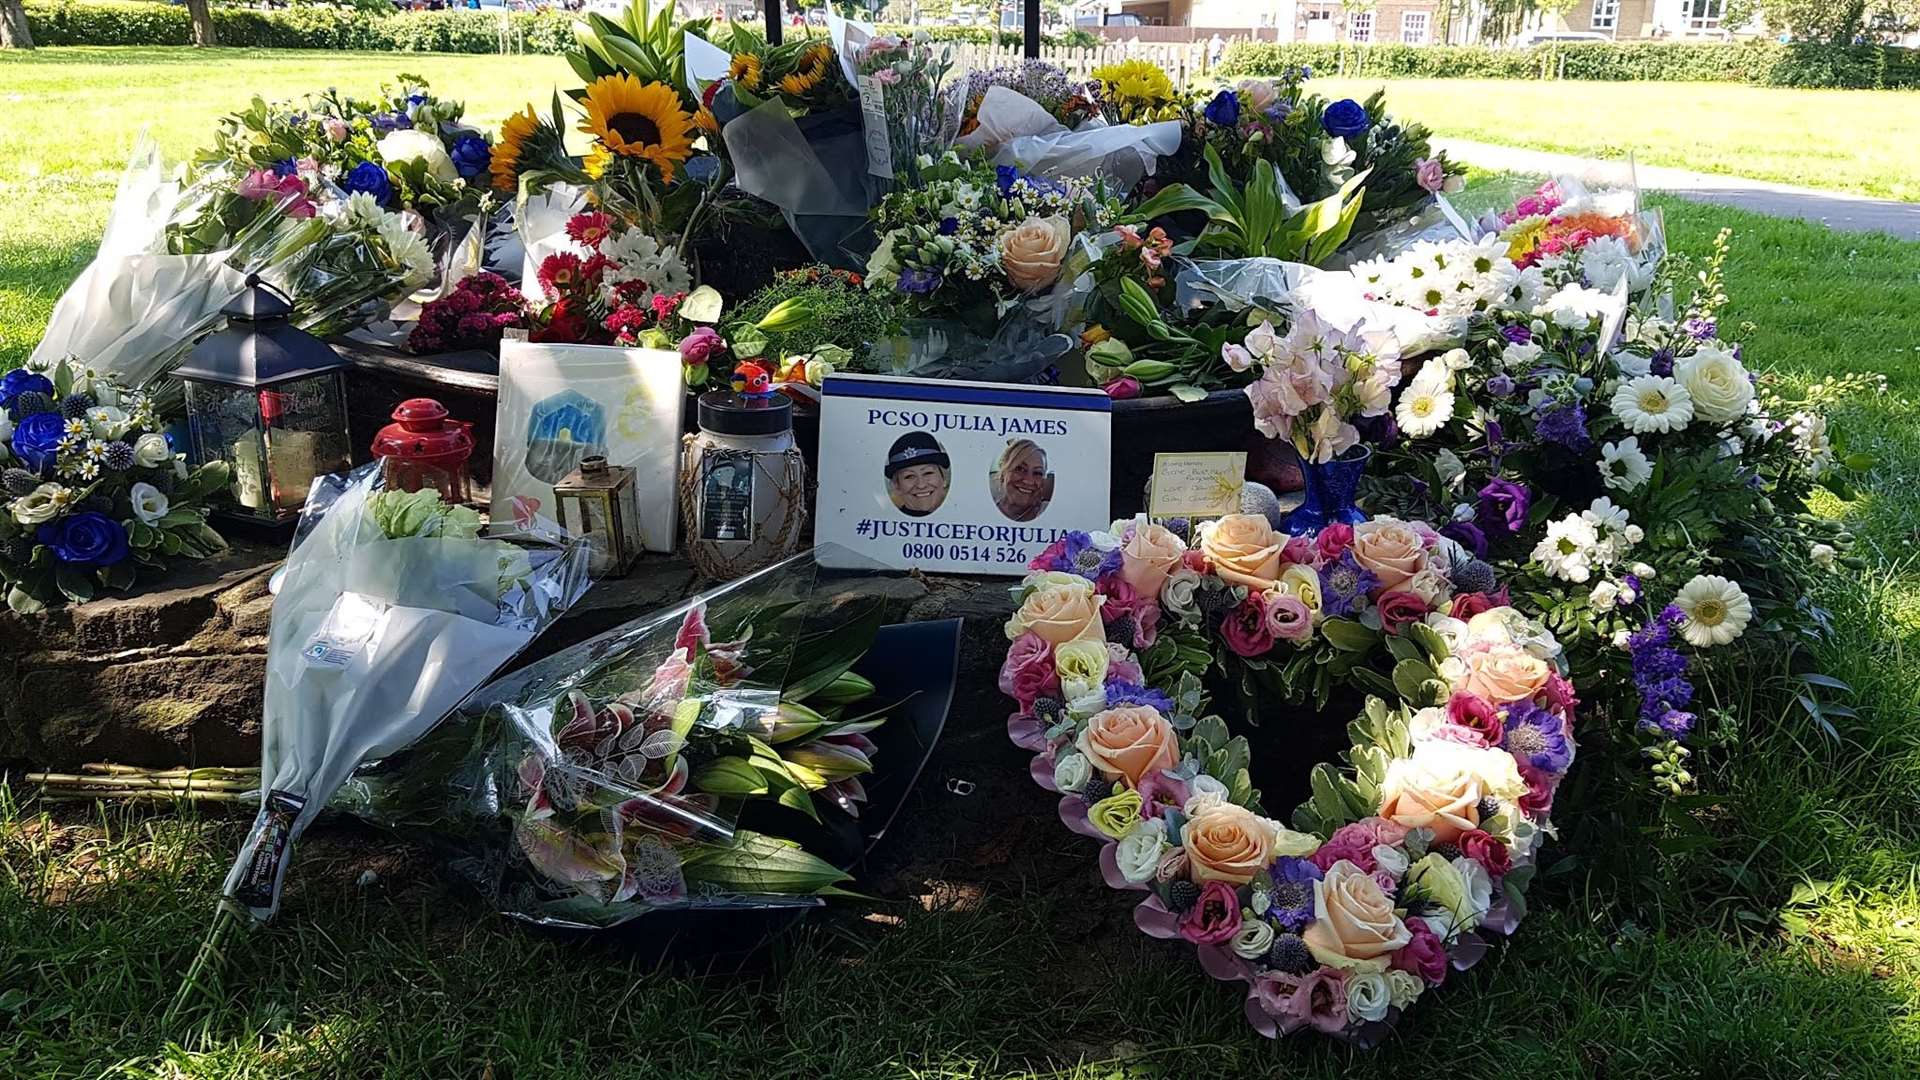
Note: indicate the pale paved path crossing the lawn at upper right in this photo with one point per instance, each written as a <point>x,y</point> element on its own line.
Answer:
<point>1836,210</point>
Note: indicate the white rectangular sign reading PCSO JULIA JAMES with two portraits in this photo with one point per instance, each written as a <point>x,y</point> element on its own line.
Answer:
<point>959,478</point>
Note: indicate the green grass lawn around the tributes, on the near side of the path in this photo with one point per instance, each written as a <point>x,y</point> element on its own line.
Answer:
<point>994,950</point>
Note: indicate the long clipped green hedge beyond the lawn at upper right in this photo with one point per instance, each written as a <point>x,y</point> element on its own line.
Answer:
<point>1767,64</point>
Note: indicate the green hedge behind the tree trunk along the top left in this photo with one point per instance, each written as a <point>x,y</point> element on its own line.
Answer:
<point>147,22</point>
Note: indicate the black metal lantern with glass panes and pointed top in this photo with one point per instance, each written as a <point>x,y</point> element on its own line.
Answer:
<point>270,401</point>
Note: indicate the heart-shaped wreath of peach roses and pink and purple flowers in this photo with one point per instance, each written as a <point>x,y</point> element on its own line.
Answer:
<point>1406,860</point>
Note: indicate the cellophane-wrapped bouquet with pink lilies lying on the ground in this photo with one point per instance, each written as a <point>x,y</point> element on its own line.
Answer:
<point>671,764</point>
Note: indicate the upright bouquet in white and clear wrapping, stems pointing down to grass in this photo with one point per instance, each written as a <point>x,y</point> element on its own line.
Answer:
<point>389,612</point>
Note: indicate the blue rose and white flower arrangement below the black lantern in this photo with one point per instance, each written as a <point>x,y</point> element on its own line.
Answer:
<point>91,491</point>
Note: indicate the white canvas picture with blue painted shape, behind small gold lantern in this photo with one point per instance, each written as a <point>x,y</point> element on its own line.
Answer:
<point>562,403</point>
